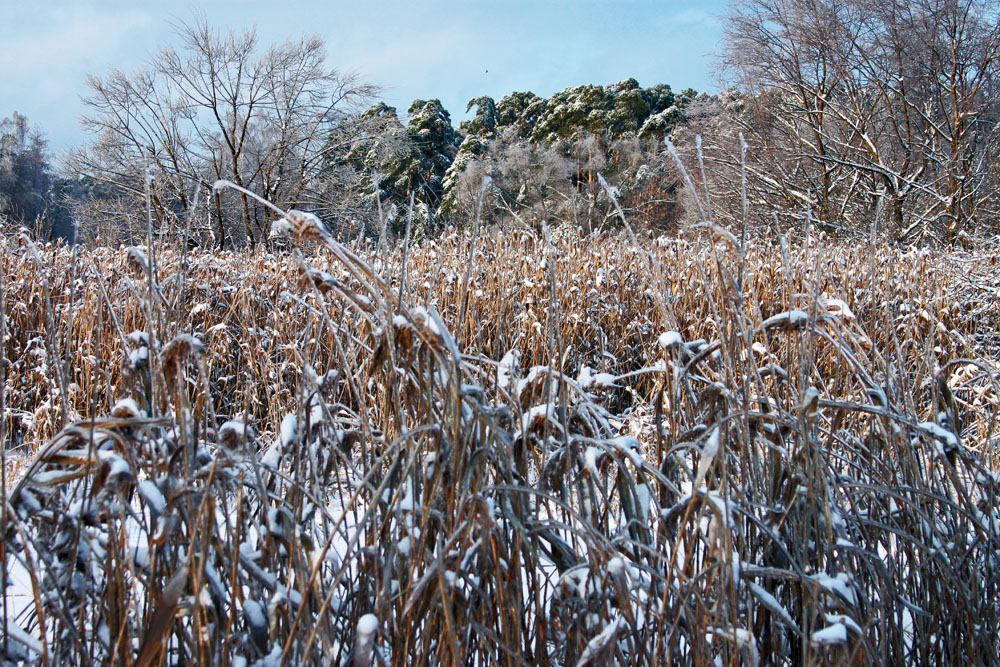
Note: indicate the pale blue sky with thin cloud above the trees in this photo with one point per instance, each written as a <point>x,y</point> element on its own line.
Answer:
<point>419,49</point>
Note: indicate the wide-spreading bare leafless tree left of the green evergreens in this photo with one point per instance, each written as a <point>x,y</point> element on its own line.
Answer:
<point>219,106</point>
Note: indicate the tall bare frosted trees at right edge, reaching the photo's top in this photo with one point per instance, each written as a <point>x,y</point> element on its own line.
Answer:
<point>861,106</point>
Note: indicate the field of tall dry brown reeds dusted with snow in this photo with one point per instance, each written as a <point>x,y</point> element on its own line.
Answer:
<point>514,449</point>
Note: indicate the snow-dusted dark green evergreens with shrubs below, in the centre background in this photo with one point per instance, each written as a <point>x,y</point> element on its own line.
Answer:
<point>541,156</point>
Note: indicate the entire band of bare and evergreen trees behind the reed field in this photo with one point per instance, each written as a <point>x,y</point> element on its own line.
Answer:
<point>865,117</point>
